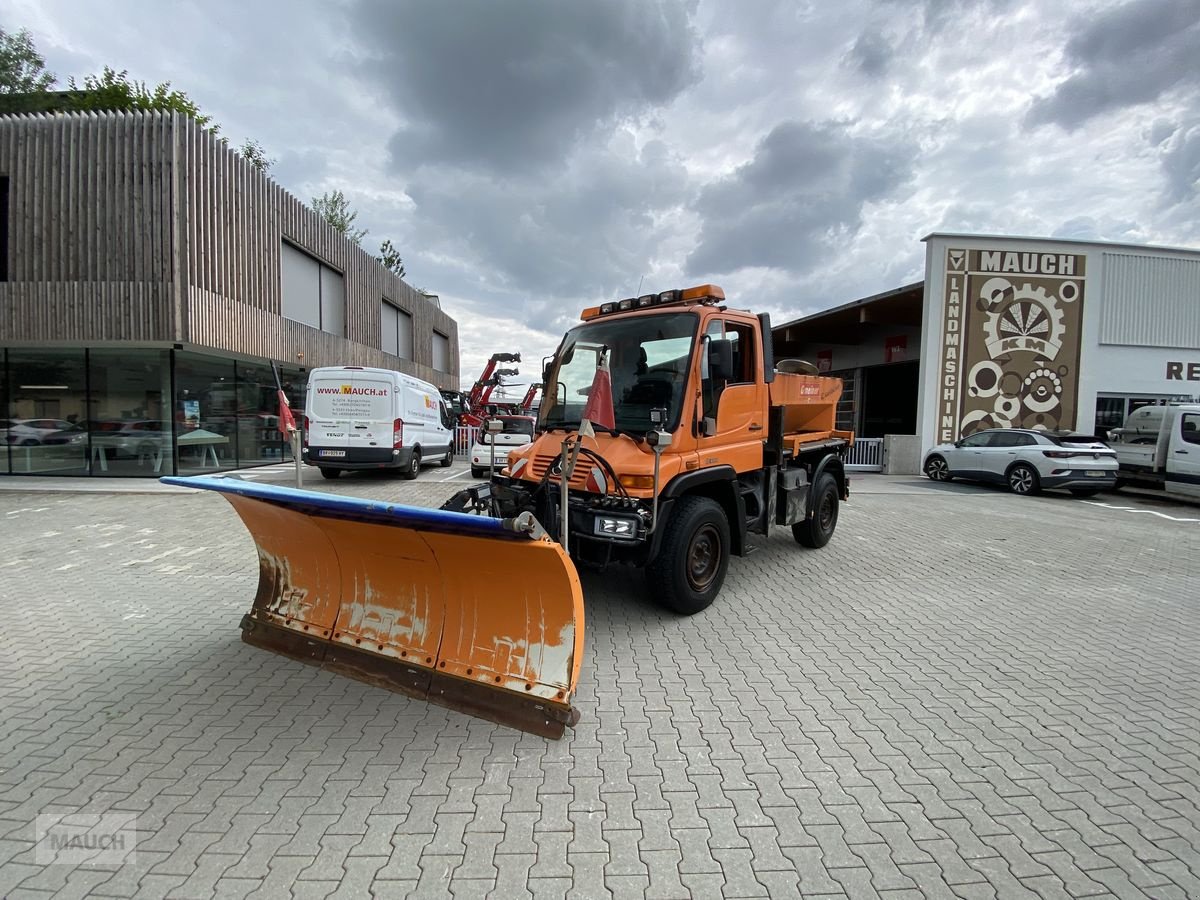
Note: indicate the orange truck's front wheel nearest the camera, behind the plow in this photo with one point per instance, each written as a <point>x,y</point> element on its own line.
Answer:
<point>688,573</point>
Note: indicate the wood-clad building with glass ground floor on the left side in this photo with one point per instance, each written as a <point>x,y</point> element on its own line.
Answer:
<point>151,277</point>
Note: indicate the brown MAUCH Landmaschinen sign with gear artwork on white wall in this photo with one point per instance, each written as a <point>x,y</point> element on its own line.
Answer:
<point>1011,341</point>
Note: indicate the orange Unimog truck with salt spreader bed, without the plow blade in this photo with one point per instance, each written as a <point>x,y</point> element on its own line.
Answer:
<point>712,441</point>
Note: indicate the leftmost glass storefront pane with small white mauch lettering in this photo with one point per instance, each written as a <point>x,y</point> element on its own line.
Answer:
<point>44,418</point>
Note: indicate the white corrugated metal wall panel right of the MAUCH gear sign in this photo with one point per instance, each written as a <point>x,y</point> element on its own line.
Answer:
<point>1150,301</point>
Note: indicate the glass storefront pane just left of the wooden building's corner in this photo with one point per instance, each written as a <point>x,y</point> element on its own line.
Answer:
<point>129,424</point>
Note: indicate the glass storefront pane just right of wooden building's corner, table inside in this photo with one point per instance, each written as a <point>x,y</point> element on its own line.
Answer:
<point>206,415</point>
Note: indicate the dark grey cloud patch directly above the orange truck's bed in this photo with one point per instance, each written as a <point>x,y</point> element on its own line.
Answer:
<point>806,188</point>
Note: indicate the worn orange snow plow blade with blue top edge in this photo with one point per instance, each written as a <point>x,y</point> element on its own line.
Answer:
<point>481,615</point>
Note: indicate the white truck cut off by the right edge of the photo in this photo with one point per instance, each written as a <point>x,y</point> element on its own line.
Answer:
<point>1160,448</point>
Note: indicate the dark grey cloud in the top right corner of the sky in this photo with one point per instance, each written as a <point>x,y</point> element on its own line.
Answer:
<point>1124,57</point>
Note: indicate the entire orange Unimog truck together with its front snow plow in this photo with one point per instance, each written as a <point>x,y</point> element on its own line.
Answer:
<point>667,439</point>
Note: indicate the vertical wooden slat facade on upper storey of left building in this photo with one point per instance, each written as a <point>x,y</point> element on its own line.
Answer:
<point>143,227</point>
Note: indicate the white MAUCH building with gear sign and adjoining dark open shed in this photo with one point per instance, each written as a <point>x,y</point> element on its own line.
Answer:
<point>1012,333</point>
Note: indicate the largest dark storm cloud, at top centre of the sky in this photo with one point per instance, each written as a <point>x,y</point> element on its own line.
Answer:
<point>513,87</point>
